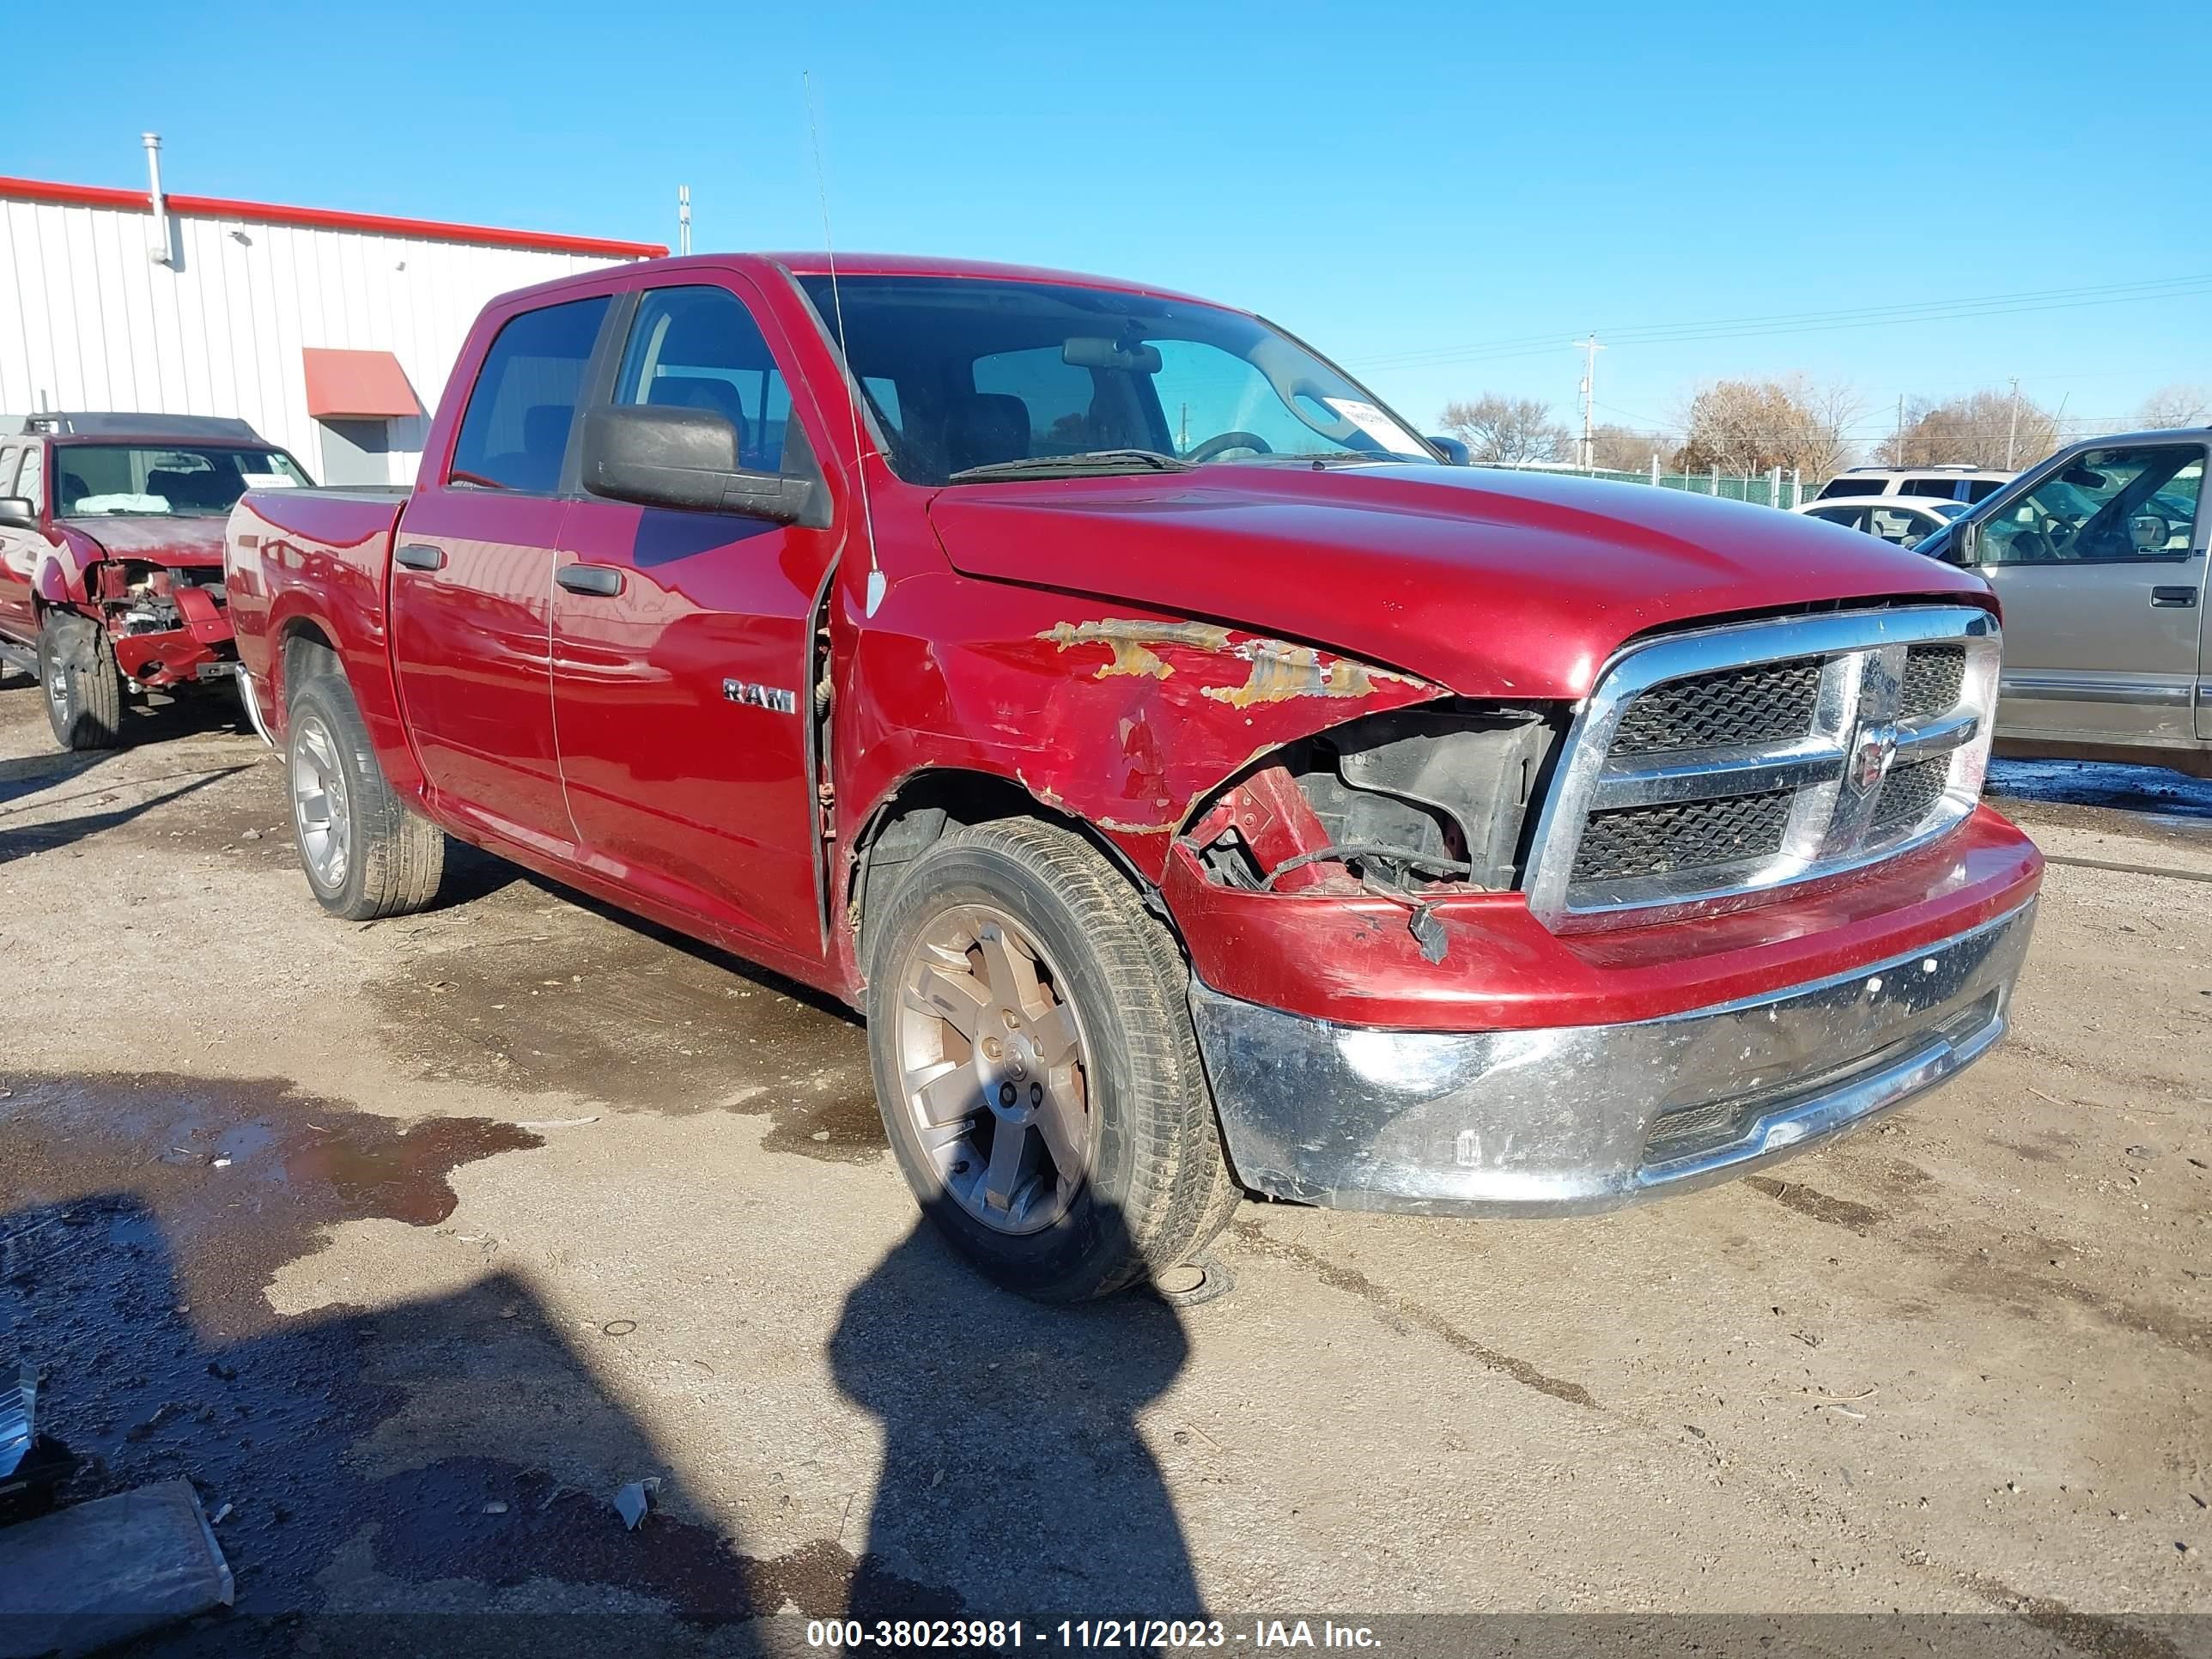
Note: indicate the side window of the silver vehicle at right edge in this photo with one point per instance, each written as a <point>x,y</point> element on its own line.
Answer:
<point>2107,508</point>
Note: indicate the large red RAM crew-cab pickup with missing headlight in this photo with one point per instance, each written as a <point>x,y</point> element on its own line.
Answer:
<point>1200,786</point>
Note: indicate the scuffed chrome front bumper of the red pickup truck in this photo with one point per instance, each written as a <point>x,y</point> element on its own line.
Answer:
<point>1592,1118</point>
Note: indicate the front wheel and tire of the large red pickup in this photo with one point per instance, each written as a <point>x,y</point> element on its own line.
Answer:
<point>1036,1065</point>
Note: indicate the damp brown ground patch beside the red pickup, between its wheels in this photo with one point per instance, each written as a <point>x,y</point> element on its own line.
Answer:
<point>589,1003</point>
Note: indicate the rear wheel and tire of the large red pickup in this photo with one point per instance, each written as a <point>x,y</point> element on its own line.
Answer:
<point>364,853</point>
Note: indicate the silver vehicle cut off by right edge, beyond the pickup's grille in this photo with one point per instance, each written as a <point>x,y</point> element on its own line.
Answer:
<point>2100,563</point>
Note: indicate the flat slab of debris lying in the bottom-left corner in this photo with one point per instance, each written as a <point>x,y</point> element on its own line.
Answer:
<point>98,1574</point>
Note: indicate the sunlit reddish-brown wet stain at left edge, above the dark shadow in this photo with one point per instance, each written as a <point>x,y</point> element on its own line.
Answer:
<point>238,1176</point>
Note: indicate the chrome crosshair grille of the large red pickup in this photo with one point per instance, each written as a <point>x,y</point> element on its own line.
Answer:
<point>1720,764</point>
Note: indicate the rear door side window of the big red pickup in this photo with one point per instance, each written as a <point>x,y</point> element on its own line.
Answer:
<point>523,406</point>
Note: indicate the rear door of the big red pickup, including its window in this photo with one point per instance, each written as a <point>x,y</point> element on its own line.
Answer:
<point>472,583</point>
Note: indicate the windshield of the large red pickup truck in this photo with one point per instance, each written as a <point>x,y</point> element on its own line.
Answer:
<point>994,379</point>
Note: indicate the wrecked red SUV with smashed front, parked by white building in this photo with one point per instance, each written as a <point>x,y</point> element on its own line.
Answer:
<point>112,556</point>
